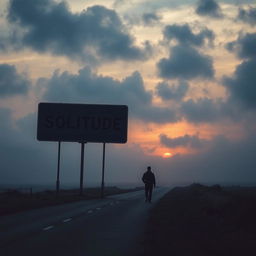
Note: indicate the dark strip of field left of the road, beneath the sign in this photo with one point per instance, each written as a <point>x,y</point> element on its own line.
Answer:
<point>14,201</point>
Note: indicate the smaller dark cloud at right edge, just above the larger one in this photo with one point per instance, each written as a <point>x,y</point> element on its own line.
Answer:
<point>244,46</point>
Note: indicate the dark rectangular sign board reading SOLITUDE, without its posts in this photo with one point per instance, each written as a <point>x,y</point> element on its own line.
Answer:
<point>82,122</point>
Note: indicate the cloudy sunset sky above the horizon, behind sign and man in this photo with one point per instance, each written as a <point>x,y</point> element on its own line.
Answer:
<point>185,69</point>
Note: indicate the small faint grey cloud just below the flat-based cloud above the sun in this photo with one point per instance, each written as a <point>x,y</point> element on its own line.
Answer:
<point>172,92</point>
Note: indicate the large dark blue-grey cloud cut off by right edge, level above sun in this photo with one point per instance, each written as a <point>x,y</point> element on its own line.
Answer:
<point>241,86</point>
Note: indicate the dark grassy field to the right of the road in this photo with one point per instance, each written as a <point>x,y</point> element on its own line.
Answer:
<point>203,221</point>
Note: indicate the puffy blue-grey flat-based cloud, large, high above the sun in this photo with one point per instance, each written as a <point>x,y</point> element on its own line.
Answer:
<point>186,63</point>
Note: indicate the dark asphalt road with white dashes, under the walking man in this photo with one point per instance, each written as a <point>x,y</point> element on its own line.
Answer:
<point>109,227</point>
